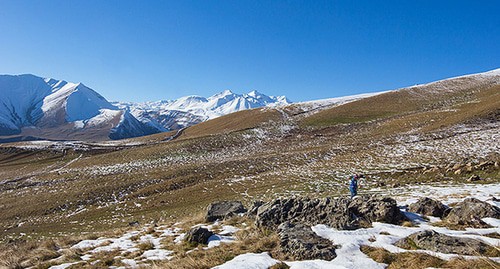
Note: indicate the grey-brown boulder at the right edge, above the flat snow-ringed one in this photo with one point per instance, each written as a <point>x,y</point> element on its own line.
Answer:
<point>471,211</point>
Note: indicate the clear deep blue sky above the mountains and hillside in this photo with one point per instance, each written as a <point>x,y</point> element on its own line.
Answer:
<point>150,50</point>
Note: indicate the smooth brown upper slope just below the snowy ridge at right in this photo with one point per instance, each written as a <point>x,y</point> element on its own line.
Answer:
<point>433,106</point>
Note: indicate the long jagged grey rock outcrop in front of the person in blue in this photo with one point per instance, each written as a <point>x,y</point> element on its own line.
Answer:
<point>340,213</point>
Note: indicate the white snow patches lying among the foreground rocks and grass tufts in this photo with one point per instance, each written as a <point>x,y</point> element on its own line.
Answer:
<point>380,235</point>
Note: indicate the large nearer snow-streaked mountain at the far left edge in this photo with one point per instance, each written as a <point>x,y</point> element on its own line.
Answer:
<point>56,109</point>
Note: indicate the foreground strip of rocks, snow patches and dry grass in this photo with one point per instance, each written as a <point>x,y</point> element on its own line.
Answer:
<point>313,233</point>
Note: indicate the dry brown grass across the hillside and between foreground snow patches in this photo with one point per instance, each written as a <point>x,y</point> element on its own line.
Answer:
<point>251,155</point>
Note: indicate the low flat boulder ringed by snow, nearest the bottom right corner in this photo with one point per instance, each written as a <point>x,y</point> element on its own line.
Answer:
<point>434,241</point>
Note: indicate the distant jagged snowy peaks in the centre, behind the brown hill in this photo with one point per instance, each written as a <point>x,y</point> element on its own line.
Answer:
<point>190,110</point>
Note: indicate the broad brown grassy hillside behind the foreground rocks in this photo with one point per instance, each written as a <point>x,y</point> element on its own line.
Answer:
<point>89,191</point>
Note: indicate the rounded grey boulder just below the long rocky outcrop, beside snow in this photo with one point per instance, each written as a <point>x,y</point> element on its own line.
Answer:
<point>299,242</point>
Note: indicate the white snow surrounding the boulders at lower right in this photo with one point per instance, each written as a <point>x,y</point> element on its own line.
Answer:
<point>384,235</point>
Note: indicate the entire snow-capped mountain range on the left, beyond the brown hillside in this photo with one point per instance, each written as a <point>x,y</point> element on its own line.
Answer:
<point>32,107</point>
